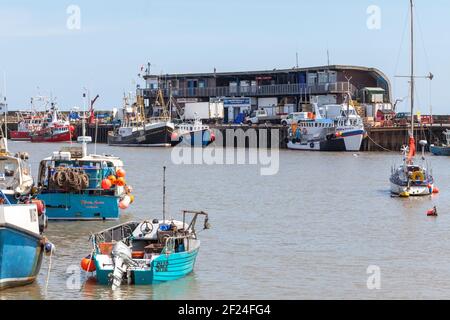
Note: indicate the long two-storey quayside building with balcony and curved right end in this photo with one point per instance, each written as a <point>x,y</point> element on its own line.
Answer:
<point>279,91</point>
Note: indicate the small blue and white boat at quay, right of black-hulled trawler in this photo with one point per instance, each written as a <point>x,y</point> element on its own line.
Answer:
<point>193,134</point>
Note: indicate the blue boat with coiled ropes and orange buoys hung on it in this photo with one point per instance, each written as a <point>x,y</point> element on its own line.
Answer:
<point>81,186</point>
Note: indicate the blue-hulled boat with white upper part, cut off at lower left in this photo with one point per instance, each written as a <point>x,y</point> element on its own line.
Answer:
<point>21,241</point>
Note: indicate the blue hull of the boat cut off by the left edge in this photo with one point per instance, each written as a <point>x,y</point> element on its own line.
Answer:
<point>20,256</point>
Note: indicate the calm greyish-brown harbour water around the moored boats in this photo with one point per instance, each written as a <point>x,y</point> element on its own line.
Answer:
<point>309,232</point>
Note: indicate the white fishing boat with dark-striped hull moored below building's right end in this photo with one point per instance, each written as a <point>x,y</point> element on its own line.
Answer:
<point>320,132</point>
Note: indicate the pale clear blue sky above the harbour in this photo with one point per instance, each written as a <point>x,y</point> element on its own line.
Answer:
<point>116,38</point>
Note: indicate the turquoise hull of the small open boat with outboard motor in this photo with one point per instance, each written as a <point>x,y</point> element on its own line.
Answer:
<point>162,269</point>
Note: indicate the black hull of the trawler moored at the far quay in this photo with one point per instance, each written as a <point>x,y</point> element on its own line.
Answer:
<point>156,136</point>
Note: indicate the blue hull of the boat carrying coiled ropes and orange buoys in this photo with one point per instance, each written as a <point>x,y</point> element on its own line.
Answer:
<point>70,206</point>
